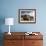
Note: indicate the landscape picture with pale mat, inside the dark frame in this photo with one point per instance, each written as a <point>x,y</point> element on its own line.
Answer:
<point>27,16</point>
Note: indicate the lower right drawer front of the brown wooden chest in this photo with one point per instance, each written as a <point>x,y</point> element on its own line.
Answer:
<point>33,43</point>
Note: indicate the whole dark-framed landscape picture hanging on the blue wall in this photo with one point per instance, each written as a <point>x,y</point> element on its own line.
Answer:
<point>27,16</point>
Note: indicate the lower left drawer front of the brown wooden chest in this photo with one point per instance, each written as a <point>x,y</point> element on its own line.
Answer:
<point>13,43</point>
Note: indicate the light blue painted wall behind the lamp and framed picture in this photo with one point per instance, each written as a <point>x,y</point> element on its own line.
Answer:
<point>9,8</point>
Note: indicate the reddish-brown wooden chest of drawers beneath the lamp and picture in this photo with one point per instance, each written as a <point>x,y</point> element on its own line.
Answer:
<point>20,39</point>
